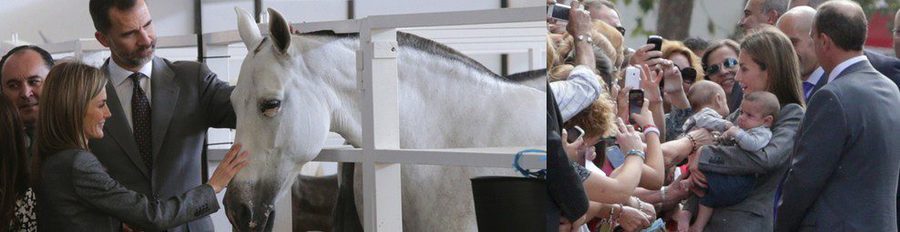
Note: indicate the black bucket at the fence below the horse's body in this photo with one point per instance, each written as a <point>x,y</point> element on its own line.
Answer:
<point>510,203</point>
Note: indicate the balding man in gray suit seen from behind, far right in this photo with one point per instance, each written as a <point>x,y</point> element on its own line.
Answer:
<point>846,161</point>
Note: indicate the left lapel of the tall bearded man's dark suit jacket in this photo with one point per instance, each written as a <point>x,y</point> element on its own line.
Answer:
<point>117,126</point>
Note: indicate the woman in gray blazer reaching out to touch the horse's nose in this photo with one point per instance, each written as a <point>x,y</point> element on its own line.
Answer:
<point>74,191</point>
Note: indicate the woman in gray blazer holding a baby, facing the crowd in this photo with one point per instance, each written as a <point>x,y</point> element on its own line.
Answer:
<point>767,63</point>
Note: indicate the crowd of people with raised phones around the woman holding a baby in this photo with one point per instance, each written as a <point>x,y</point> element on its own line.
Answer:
<point>789,128</point>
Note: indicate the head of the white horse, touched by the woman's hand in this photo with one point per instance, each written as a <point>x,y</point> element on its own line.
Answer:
<point>280,120</point>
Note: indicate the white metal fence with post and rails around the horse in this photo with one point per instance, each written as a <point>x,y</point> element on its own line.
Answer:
<point>496,31</point>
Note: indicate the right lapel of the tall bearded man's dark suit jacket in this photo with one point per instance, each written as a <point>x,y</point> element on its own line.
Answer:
<point>165,99</point>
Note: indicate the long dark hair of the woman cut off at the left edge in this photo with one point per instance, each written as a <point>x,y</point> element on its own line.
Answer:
<point>13,161</point>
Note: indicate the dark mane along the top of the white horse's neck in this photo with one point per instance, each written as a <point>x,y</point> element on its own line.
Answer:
<point>407,40</point>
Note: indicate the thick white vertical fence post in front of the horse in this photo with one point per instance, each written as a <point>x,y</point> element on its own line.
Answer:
<point>379,82</point>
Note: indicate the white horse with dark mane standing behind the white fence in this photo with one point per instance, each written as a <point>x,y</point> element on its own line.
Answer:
<point>294,89</point>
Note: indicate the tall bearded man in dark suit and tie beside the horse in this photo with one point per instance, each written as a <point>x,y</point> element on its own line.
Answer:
<point>161,109</point>
